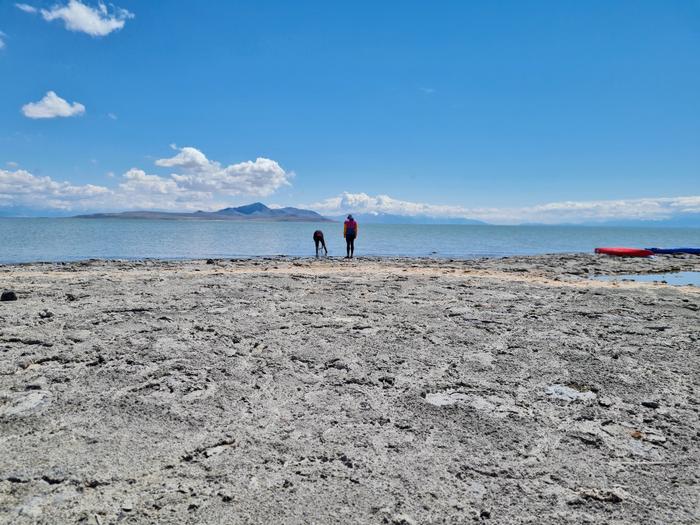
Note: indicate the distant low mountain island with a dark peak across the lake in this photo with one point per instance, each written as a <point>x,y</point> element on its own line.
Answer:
<point>250,212</point>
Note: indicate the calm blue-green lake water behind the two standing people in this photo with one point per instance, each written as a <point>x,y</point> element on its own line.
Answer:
<point>51,239</point>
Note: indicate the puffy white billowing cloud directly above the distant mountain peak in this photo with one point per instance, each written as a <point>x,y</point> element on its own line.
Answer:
<point>193,170</point>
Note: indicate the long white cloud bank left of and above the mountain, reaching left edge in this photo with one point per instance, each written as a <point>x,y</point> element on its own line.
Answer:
<point>197,183</point>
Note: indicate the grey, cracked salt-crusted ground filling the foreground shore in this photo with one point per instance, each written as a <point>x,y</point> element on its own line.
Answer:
<point>374,391</point>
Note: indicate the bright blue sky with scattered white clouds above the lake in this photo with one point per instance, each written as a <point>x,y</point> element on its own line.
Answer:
<point>486,109</point>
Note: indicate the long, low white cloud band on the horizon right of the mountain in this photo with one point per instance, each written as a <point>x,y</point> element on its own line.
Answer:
<point>550,213</point>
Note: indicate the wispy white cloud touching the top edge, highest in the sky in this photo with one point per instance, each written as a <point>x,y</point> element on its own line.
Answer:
<point>95,21</point>
